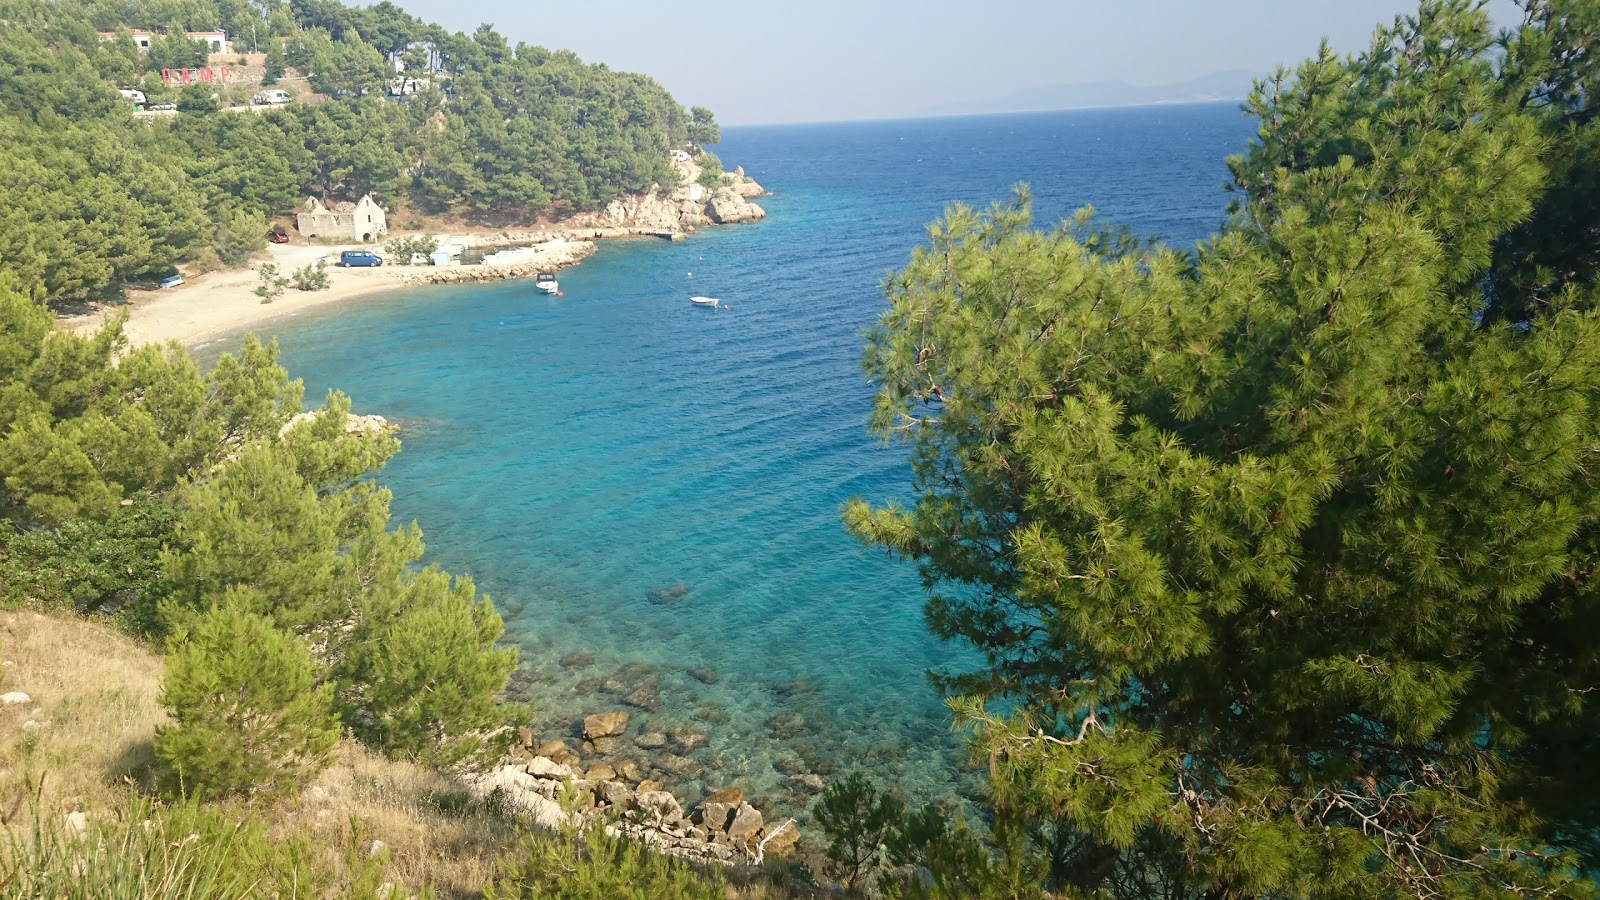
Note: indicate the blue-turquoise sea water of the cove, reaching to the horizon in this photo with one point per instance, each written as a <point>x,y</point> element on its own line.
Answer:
<point>590,459</point>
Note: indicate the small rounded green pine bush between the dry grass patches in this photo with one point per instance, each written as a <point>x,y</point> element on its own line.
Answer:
<point>247,713</point>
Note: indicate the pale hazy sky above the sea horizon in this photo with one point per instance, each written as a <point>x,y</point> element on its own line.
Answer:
<point>838,60</point>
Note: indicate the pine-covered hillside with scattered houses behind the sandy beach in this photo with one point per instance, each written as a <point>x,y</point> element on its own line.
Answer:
<point>494,131</point>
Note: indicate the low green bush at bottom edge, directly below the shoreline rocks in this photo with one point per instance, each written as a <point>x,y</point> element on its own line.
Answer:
<point>598,867</point>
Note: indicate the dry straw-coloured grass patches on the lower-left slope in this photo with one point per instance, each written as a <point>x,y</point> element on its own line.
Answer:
<point>84,744</point>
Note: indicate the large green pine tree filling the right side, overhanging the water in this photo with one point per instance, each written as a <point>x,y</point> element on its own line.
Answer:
<point>1279,553</point>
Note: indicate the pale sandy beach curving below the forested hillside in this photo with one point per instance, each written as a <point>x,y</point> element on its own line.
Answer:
<point>223,303</point>
